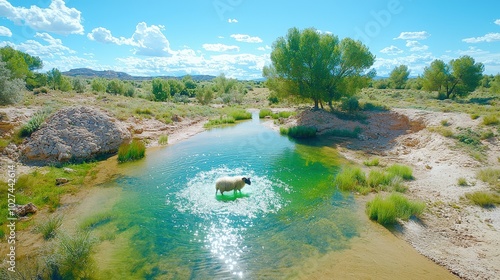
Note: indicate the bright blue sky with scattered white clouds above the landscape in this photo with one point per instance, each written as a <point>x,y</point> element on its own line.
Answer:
<point>235,37</point>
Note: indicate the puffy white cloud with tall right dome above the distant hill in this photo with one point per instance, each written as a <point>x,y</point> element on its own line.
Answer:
<point>148,40</point>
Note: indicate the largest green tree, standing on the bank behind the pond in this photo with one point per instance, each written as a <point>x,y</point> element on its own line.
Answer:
<point>311,65</point>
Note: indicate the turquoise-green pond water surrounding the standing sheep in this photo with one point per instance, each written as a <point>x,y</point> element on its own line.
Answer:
<point>175,226</point>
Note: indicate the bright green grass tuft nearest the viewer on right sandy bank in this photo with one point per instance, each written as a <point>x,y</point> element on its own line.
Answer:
<point>387,211</point>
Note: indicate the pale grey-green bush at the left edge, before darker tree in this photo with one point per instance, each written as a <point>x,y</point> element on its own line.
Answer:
<point>10,88</point>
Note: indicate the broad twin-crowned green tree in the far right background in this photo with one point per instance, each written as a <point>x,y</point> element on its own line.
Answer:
<point>458,78</point>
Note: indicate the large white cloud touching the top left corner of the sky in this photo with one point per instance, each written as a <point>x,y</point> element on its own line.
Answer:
<point>57,18</point>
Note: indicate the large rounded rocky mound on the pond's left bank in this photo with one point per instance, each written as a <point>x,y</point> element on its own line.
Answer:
<point>74,134</point>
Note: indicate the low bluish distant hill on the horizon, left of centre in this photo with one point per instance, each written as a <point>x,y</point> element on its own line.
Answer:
<point>110,74</point>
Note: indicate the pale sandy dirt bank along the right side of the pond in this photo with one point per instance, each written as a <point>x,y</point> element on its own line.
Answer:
<point>455,234</point>
